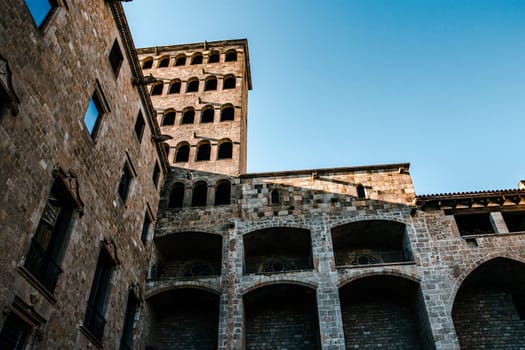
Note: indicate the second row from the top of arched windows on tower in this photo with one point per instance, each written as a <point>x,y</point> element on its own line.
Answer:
<point>192,85</point>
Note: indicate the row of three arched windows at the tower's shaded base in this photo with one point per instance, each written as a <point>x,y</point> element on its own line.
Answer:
<point>199,194</point>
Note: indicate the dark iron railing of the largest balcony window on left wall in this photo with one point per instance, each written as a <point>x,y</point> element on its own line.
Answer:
<point>41,266</point>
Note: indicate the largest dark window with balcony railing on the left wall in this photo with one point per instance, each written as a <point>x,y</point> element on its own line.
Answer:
<point>48,244</point>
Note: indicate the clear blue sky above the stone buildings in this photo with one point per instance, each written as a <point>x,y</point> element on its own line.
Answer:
<point>437,83</point>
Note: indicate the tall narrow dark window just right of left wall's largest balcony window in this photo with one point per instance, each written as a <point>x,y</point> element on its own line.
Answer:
<point>94,320</point>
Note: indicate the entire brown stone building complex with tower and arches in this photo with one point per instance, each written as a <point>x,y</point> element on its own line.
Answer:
<point>129,220</point>
